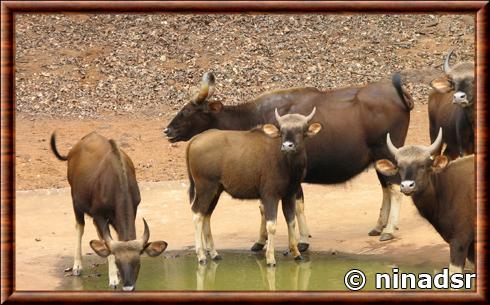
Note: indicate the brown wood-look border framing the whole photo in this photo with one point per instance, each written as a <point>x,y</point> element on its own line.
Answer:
<point>10,8</point>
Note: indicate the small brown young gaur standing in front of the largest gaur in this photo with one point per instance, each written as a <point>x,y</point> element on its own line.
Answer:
<point>254,164</point>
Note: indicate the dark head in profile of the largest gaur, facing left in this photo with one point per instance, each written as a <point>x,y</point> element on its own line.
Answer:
<point>195,117</point>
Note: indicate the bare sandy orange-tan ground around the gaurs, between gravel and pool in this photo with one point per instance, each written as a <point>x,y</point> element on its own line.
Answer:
<point>339,216</point>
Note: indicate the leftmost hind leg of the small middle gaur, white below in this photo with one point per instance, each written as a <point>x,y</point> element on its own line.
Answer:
<point>203,200</point>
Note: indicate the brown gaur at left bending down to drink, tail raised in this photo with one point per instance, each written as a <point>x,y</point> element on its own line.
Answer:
<point>103,186</point>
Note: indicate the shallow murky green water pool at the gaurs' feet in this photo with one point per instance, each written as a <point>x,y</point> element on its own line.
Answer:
<point>244,271</point>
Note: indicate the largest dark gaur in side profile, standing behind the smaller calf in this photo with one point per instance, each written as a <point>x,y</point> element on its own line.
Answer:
<point>355,122</point>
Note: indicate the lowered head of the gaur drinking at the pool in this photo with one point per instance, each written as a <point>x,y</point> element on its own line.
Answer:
<point>127,253</point>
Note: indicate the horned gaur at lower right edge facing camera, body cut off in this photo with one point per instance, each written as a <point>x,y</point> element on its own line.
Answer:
<point>443,192</point>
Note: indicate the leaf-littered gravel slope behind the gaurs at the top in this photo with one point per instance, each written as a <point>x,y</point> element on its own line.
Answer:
<point>93,65</point>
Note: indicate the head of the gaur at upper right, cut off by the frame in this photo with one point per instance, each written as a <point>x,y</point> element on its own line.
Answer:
<point>460,79</point>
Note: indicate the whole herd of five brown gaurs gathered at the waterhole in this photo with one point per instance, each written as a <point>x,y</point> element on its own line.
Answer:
<point>265,149</point>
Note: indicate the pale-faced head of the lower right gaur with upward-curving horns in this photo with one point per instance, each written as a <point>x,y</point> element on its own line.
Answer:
<point>415,164</point>
